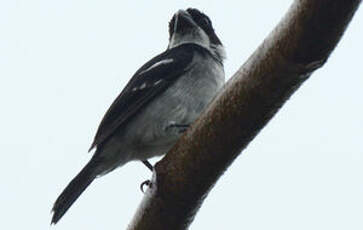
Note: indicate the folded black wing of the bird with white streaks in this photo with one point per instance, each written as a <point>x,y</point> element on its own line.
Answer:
<point>150,80</point>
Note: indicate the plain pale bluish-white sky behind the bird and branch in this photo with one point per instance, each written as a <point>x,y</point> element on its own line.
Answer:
<point>62,63</point>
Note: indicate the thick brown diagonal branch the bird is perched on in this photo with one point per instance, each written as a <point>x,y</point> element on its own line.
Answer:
<point>301,43</point>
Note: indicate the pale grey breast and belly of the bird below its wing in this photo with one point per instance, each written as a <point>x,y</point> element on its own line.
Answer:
<point>146,135</point>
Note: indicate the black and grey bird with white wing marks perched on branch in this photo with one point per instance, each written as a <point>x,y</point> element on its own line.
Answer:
<point>157,105</point>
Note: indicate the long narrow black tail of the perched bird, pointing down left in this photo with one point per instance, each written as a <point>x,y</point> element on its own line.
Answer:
<point>73,190</point>
